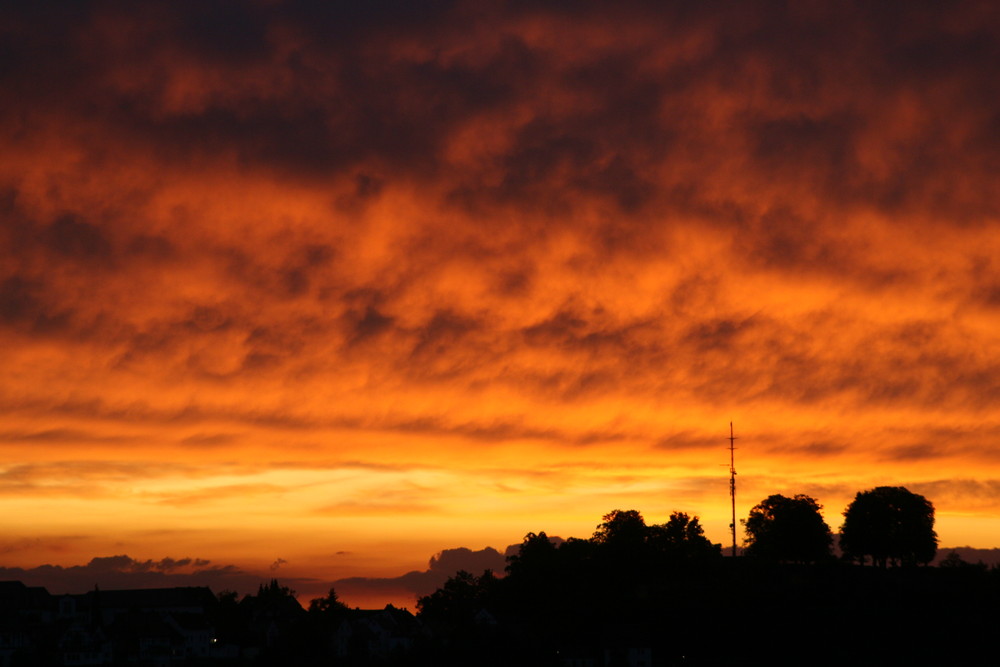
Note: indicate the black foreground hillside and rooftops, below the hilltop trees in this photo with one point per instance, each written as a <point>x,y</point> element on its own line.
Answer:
<point>594,612</point>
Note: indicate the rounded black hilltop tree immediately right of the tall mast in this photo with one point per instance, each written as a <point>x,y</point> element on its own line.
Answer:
<point>788,529</point>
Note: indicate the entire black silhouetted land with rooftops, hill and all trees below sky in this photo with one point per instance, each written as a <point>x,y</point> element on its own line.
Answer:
<point>635,594</point>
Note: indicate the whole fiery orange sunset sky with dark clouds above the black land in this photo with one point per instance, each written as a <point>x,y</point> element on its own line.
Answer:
<point>316,290</point>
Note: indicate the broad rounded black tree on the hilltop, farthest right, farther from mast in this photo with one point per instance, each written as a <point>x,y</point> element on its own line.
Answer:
<point>891,525</point>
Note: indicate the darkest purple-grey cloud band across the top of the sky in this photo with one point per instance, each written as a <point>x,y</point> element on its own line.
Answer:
<point>397,90</point>
